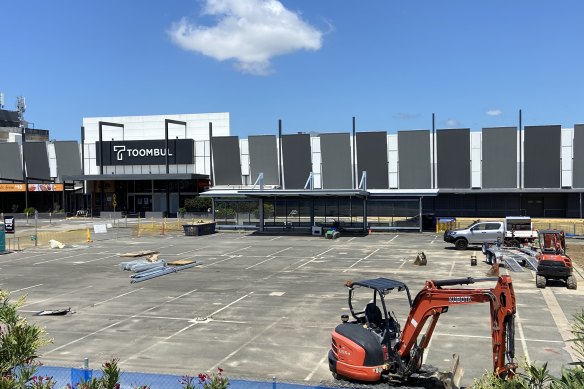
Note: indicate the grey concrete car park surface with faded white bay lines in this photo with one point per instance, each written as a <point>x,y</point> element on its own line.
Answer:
<point>262,306</point>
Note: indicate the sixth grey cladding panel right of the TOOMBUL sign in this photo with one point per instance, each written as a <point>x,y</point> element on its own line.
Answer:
<point>414,159</point>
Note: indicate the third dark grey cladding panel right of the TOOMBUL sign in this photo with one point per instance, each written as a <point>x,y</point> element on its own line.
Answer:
<point>297,160</point>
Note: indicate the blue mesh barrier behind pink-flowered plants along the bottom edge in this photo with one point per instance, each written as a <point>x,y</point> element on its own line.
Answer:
<point>128,380</point>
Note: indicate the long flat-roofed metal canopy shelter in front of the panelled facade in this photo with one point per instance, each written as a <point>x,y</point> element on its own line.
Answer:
<point>352,210</point>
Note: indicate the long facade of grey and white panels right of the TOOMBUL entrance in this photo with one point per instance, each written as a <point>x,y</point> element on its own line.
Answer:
<point>385,181</point>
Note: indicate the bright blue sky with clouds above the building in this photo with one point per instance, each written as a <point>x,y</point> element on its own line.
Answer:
<point>314,64</point>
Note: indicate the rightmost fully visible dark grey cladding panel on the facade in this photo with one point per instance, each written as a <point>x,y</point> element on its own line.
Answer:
<point>542,156</point>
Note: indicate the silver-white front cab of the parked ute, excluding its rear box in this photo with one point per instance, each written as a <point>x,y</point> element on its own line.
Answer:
<point>476,233</point>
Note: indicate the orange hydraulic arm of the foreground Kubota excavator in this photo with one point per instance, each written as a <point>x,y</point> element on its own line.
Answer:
<point>438,295</point>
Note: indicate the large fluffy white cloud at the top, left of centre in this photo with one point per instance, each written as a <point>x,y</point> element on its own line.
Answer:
<point>251,32</point>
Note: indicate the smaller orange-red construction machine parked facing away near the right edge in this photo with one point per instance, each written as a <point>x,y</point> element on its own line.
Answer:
<point>552,261</point>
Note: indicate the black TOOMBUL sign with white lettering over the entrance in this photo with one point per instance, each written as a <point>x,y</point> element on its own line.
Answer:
<point>145,152</point>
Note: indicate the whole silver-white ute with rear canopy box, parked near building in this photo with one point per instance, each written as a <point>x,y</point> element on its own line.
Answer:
<point>513,231</point>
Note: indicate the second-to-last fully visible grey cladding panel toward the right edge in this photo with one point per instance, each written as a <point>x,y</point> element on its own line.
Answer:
<point>499,156</point>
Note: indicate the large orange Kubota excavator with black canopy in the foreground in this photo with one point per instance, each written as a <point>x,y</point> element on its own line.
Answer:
<point>373,346</point>
